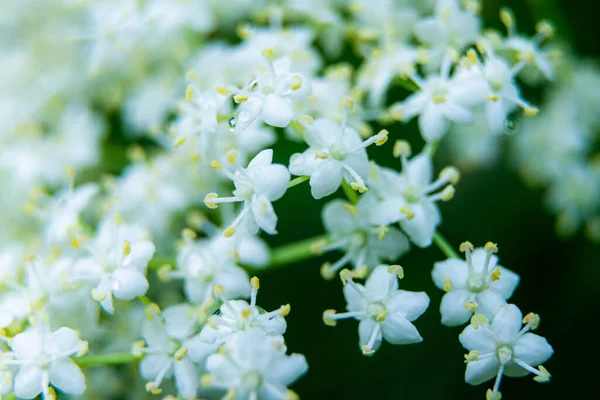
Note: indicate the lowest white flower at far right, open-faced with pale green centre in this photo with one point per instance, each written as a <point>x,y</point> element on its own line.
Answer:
<point>504,348</point>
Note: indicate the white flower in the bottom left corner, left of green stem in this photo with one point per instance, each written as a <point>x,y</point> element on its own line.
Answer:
<point>44,358</point>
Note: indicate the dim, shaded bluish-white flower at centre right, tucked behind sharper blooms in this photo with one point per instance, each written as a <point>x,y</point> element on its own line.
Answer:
<point>364,243</point>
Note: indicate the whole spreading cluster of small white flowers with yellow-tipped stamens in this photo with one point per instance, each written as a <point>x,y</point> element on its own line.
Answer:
<point>128,177</point>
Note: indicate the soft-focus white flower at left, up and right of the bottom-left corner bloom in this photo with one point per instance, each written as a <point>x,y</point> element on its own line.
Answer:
<point>117,266</point>
